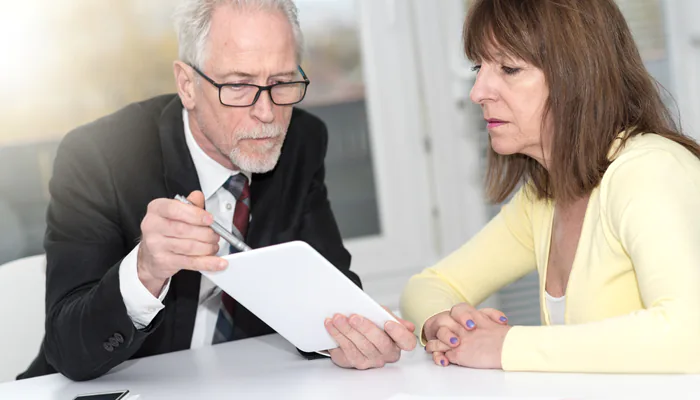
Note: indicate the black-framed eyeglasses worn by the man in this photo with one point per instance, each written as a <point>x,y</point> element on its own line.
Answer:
<point>247,94</point>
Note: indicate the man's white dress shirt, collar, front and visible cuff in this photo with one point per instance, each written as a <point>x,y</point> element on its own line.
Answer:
<point>141,305</point>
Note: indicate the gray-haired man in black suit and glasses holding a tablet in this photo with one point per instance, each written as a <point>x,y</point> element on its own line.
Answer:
<point>123,256</point>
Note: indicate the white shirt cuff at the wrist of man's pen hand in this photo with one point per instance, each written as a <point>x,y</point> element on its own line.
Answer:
<point>141,306</point>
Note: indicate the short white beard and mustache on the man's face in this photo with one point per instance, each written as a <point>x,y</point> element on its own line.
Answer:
<point>266,158</point>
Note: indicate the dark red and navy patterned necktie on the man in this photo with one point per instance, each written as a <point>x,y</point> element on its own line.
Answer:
<point>238,186</point>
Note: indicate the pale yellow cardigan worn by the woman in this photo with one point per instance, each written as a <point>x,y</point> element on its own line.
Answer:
<point>633,297</point>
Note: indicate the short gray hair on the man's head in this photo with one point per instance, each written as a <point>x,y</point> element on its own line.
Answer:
<point>193,22</point>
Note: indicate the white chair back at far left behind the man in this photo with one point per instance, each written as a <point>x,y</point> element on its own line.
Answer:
<point>22,288</point>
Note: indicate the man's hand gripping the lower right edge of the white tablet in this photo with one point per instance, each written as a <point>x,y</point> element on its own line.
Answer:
<point>363,345</point>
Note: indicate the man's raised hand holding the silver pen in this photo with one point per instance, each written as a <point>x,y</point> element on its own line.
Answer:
<point>176,236</point>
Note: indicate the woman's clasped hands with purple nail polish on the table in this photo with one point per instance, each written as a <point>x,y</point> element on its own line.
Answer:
<point>453,336</point>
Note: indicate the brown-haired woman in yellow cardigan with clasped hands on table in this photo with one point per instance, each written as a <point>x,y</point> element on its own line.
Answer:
<point>606,203</point>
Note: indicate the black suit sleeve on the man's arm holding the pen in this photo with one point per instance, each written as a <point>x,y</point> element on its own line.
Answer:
<point>88,330</point>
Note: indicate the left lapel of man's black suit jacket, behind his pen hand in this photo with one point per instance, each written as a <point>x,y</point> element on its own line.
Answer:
<point>180,177</point>
